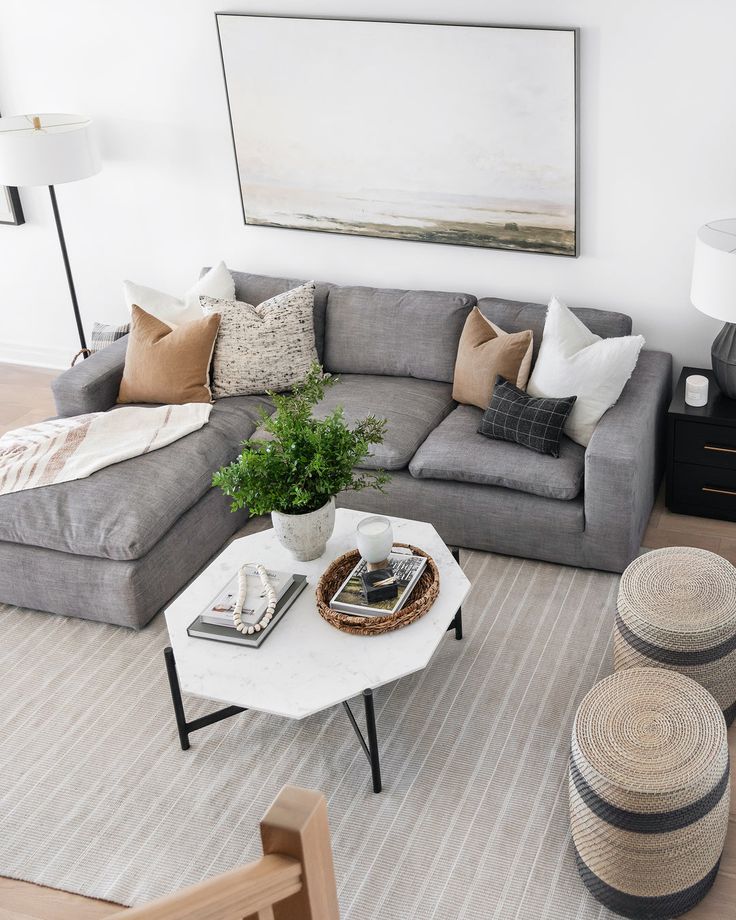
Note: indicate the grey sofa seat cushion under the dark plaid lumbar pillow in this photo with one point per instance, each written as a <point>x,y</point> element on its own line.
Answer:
<point>456,451</point>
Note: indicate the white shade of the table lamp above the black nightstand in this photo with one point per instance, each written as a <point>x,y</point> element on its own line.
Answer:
<point>713,290</point>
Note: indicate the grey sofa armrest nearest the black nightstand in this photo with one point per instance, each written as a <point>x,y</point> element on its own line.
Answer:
<point>624,461</point>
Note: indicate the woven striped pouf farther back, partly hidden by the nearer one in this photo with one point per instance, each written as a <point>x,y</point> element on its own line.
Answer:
<point>677,610</point>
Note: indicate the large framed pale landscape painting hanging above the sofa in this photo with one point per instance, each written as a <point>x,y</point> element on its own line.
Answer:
<point>442,133</point>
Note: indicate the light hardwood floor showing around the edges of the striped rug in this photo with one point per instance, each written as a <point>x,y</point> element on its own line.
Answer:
<point>25,397</point>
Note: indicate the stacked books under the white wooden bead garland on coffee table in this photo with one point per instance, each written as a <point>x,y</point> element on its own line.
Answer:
<point>216,620</point>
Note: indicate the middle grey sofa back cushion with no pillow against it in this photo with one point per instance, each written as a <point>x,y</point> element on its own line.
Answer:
<point>394,333</point>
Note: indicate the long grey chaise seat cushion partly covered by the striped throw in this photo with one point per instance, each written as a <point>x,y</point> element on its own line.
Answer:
<point>123,510</point>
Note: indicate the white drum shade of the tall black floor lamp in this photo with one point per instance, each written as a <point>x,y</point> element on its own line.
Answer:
<point>62,149</point>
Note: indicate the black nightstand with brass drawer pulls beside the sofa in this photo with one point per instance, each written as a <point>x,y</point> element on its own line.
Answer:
<point>701,453</point>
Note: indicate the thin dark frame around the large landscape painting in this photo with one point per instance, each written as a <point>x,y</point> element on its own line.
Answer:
<point>573,30</point>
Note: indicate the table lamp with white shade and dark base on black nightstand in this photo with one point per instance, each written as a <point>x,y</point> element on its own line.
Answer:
<point>713,292</point>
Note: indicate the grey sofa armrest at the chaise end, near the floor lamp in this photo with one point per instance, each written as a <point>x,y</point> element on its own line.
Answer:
<point>91,385</point>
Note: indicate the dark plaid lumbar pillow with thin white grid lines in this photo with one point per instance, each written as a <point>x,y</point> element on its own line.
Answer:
<point>532,421</point>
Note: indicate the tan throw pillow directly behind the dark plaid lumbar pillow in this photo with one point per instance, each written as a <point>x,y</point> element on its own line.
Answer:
<point>485,350</point>
